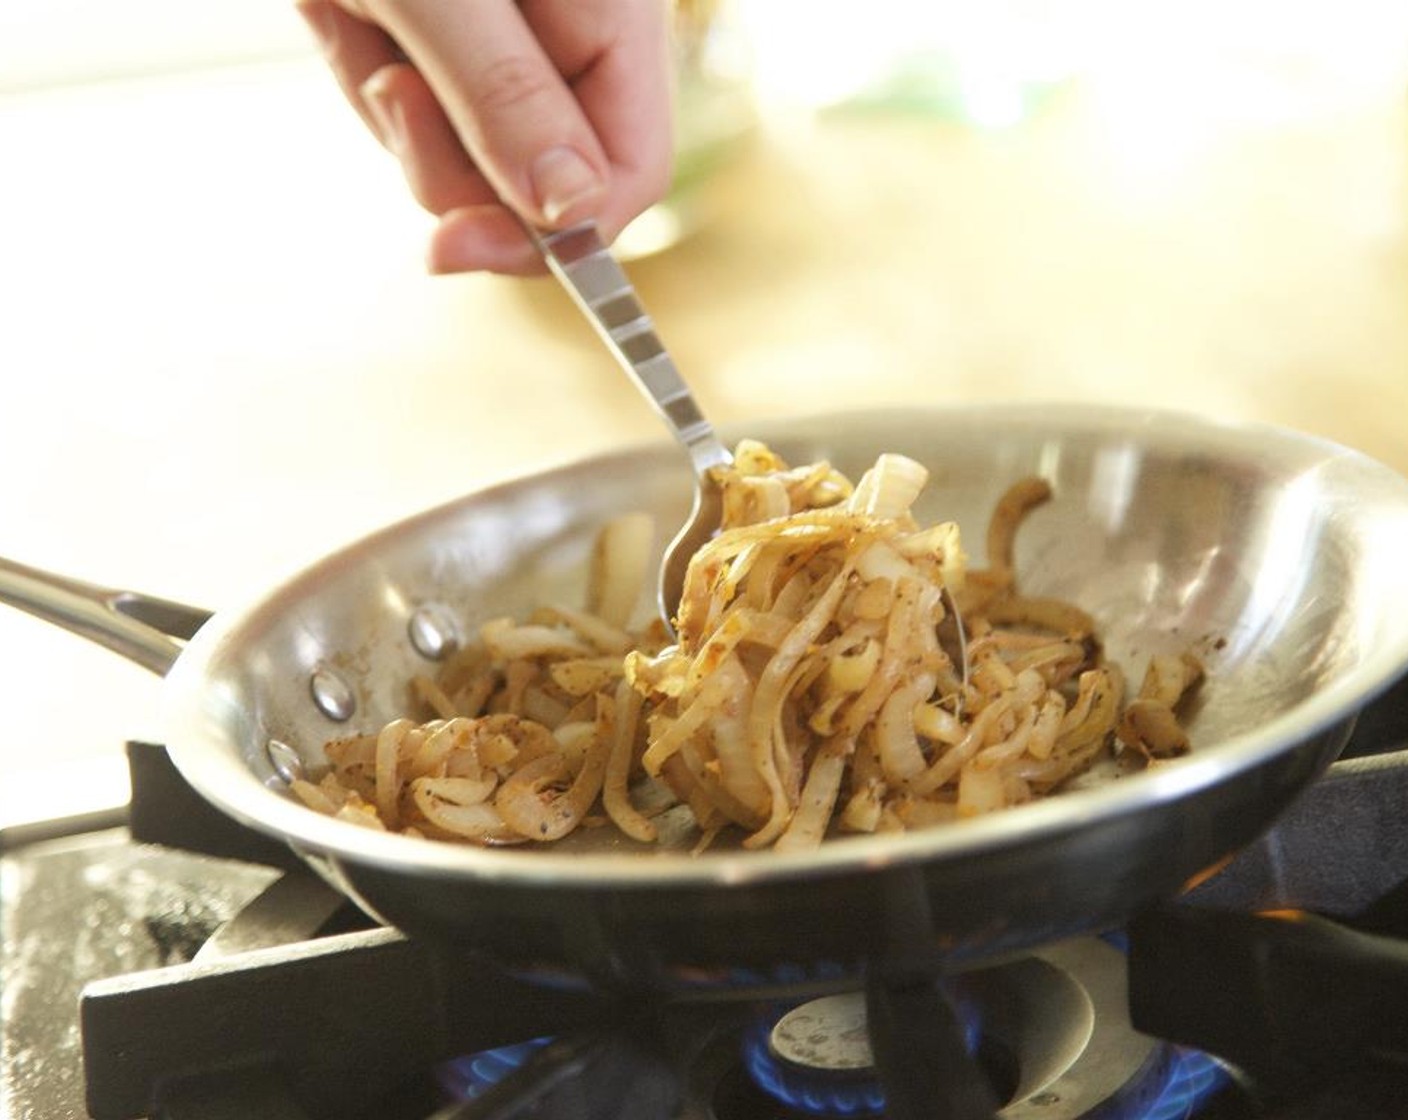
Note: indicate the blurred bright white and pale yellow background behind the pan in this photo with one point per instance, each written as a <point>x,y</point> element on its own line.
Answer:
<point>222,356</point>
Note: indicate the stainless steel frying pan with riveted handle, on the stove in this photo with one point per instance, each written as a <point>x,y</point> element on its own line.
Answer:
<point>1279,556</point>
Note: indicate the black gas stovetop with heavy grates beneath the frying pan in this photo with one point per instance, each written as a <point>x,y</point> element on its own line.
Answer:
<point>295,1008</point>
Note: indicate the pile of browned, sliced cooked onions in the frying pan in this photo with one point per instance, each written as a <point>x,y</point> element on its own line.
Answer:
<point>837,670</point>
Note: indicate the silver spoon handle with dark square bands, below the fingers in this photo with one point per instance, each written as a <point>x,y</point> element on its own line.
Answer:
<point>602,290</point>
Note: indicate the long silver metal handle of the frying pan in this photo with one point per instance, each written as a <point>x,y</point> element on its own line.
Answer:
<point>142,628</point>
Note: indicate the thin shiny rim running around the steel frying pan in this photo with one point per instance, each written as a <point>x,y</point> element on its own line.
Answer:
<point>272,812</point>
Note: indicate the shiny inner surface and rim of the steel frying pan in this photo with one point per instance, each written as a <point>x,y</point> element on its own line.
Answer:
<point>1276,557</point>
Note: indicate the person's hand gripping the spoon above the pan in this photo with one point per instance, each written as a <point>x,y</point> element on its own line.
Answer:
<point>558,109</point>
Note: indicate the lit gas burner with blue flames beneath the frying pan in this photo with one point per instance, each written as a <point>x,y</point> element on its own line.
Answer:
<point>1050,1032</point>
